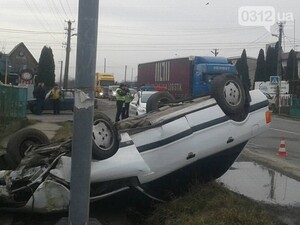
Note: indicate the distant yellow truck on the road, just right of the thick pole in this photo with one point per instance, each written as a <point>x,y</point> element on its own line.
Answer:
<point>103,80</point>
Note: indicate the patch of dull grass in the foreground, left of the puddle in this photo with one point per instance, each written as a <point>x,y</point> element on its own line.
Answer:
<point>211,204</point>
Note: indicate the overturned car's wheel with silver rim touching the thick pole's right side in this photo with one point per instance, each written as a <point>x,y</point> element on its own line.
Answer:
<point>105,137</point>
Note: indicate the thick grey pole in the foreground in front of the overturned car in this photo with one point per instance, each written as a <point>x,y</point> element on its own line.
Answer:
<point>83,114</point>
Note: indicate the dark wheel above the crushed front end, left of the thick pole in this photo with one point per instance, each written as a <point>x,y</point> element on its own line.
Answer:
<point>21,140</point>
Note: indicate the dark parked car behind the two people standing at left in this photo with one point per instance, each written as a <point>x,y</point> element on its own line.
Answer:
<point>66,103</point>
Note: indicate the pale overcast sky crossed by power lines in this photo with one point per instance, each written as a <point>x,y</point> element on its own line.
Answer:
<point>137,31</point>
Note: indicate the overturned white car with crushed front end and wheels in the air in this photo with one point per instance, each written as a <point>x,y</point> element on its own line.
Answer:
<point>199,139</point>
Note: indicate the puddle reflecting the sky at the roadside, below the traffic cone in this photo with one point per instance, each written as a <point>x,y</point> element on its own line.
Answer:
<point>262,184</point>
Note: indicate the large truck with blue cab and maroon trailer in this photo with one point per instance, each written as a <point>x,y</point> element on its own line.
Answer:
<point>184,77</point>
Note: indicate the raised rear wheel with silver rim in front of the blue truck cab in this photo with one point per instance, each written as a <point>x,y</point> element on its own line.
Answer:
<point>229,93</point>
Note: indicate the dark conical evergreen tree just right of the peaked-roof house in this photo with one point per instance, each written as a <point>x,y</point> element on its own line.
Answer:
<point>46,68</point>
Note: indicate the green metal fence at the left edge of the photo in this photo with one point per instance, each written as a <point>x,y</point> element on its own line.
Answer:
<point>13,103</point>
